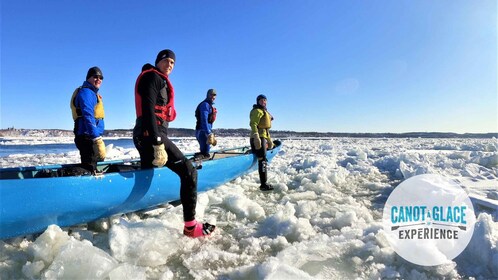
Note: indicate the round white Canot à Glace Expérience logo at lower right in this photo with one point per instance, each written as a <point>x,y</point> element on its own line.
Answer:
<point>428,219</point>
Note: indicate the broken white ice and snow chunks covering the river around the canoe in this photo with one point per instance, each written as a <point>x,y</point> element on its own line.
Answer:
<point>323,221</point>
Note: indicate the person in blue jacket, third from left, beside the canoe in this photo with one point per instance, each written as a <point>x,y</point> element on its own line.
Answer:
<point>205,115</point>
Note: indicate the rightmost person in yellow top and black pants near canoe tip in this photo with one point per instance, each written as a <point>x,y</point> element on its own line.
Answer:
<point>260,123</point>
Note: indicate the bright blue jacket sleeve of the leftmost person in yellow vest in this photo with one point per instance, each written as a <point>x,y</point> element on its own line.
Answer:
<point>86,100</point>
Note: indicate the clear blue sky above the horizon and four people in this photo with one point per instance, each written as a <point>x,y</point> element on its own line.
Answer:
<point>325,65</point>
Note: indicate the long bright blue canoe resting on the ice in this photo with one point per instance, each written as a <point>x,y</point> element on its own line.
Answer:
<point>32,198</point>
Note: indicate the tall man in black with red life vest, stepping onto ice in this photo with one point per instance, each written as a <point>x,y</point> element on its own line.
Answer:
<point>155,108</point>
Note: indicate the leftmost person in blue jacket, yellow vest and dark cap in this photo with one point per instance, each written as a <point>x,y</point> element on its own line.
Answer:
<point>88,115</point>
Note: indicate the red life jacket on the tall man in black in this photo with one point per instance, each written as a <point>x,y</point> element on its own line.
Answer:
<point>164,112</point>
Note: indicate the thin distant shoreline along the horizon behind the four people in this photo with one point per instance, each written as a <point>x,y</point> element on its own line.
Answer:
<point>241,132</point>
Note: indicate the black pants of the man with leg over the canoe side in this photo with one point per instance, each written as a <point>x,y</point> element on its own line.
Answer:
<point>179,164</point>
